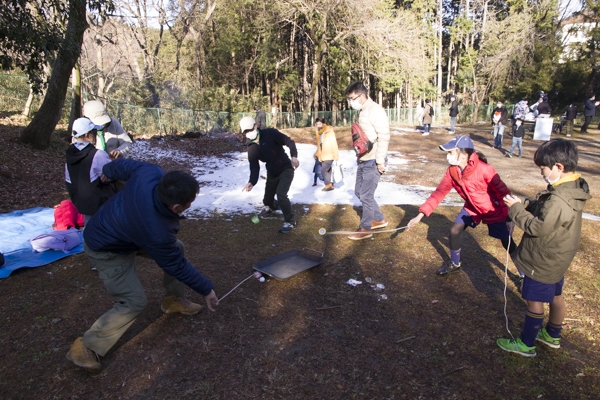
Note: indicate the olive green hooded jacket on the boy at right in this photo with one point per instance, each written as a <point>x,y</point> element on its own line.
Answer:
<point>552,229</point>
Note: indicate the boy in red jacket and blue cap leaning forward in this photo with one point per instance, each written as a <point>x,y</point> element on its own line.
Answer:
<point>482,189</point>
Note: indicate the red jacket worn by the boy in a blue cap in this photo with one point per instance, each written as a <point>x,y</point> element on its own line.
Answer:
<point>481,188</point>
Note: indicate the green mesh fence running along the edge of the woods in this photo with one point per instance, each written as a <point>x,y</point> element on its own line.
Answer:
<point>14,91</point>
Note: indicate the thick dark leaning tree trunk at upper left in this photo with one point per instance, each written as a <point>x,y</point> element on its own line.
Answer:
<point>39,131</point>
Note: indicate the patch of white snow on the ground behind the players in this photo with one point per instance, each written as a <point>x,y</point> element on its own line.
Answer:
<point>222,179</point>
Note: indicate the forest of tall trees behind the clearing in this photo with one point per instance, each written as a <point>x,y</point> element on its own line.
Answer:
<point>294,55</point>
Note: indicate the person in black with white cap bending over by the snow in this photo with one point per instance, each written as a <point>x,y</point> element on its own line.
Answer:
<point>266,145</point>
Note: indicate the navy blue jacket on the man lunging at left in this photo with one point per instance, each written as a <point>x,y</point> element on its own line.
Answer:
<point>135,219</point>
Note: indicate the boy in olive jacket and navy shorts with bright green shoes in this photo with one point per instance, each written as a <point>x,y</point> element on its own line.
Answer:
<point>552,232</point>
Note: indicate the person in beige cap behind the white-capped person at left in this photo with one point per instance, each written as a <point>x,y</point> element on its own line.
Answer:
<point>111,137</point>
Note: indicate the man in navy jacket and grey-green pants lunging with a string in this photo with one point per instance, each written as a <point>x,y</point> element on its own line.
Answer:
<point>143,217</point>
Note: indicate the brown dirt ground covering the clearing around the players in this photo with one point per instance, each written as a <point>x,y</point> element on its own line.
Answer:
<point>313,336</point>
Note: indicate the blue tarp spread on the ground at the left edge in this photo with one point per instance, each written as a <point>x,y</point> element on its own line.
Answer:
<point>16,229</point>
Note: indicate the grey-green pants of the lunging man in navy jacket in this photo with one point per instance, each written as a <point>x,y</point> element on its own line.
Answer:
<point>117,271</point>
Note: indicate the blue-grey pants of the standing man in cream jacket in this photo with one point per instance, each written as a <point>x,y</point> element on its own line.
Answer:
<point>367,179</point>
